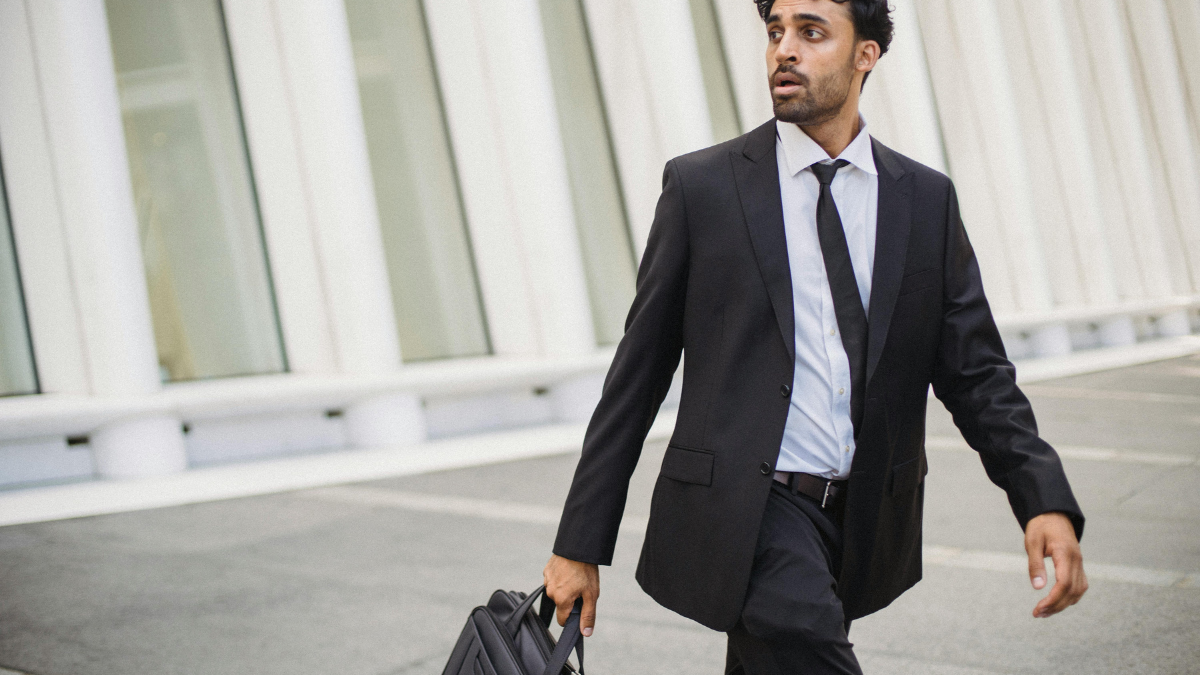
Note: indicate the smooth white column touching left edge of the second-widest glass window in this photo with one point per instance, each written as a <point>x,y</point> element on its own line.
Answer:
<point>319,62</point>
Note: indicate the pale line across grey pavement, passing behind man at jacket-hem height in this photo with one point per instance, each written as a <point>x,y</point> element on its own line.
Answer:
<point>537,515</point>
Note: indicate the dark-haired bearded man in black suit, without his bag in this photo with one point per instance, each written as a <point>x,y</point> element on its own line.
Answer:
<point>818,301</point>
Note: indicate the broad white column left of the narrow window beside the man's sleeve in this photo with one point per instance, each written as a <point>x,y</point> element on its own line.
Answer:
<point>501,107</point>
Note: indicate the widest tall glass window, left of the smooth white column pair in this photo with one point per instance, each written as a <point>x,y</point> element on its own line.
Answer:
<point>211,288</point>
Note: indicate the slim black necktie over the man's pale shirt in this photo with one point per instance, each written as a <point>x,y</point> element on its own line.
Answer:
<point>848,304</point>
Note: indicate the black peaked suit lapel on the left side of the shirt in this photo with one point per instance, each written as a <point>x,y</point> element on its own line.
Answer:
<point>757,172</point>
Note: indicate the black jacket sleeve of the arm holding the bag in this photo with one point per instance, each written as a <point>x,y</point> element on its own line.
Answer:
<point>638,381</point>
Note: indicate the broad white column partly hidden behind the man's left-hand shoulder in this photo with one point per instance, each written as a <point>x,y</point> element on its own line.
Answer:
<point>650,71</point>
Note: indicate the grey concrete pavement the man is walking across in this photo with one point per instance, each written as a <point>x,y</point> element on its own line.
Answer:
<point>377,578</point>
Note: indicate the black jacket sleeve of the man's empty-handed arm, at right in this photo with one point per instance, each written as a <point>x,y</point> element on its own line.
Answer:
<point>977,384</point>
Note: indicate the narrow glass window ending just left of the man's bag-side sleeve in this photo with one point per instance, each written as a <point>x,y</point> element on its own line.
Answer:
<point>592,169</point>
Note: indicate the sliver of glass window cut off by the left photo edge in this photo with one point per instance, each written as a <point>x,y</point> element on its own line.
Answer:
<point>17,372</point>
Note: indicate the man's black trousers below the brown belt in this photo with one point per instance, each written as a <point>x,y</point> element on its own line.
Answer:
<point>793,623</point>
